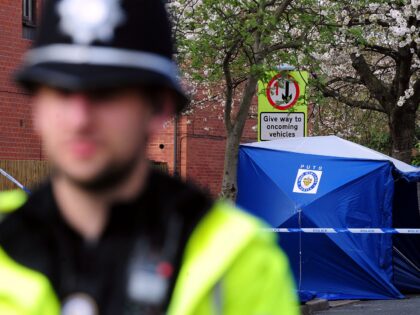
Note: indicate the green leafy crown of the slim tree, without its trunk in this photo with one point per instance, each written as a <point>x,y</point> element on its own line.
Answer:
<point>236,33</point>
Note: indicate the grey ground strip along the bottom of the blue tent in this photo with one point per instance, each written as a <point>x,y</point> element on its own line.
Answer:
<point>408,306</point>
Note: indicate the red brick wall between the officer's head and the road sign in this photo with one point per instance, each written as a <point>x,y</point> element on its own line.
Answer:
<point>201,146</point>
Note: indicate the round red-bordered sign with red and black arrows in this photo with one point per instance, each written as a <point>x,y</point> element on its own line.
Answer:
<point>282,91</point>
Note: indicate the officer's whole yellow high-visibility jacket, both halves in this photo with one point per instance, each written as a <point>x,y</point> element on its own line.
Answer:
<point>229,267</point>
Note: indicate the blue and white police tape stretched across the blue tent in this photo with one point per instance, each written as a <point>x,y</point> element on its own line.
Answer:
<point>344,230</point>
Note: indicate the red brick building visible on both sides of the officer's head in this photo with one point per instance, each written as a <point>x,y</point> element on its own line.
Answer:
<point>200,137</point>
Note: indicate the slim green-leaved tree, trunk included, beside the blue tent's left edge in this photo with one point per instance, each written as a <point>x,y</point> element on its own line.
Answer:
<point>230,45</point>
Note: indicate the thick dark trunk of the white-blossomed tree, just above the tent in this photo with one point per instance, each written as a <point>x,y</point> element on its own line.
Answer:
<point>402,124</point>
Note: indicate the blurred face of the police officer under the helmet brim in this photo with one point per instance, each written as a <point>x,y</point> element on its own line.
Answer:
<point>94,139</point>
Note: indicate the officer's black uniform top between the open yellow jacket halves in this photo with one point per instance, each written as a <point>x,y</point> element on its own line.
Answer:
<point>155,227</point>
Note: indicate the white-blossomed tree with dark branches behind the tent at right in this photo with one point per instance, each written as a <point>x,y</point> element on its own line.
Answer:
<point>373,62</point>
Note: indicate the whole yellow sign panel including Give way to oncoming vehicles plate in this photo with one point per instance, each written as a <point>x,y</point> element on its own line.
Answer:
<point>282,108</point>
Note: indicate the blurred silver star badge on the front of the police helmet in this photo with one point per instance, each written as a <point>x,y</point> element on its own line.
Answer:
<point>88,20</point>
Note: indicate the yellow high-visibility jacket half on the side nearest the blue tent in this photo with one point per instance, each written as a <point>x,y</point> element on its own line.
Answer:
<point>231,267</point>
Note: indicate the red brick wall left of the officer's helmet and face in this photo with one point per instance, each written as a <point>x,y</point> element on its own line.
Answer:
<point>17,140</point>
